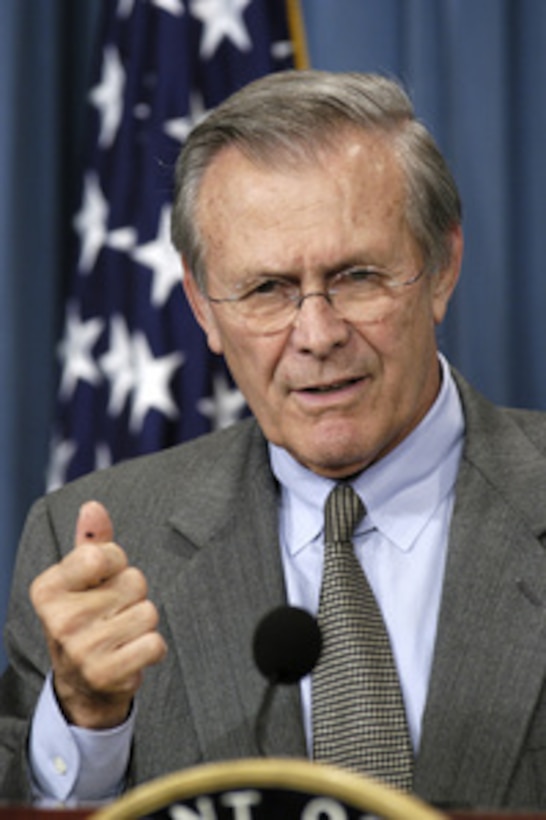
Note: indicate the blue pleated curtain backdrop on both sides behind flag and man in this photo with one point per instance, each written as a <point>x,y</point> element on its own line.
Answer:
<point>477,72</point>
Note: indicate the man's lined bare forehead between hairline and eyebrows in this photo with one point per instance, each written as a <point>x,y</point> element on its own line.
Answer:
<point>359,178</point>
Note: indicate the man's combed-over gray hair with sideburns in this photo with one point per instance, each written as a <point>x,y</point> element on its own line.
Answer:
<point>286,117</point>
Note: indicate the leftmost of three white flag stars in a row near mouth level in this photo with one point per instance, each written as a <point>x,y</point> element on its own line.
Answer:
<point>75,351</point>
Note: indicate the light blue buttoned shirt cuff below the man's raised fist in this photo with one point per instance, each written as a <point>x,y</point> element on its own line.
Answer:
<point>70,765</point>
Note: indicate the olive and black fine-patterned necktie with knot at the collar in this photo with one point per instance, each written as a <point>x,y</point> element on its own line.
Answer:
<point>359,719</point>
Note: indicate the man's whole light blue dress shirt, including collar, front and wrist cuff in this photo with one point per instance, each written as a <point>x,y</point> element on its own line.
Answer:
<point>402,545</point>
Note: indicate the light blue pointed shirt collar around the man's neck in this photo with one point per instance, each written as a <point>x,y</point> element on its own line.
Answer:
<point>401,491</point>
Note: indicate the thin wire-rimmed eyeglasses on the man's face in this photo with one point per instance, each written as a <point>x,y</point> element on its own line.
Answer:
<point>360,294</point>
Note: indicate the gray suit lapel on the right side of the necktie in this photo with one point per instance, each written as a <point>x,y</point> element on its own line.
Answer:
<point>490,660</point>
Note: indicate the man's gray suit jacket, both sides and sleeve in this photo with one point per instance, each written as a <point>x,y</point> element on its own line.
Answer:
<point>201,521</point>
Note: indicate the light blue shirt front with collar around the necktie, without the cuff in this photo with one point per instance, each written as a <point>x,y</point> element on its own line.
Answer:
<point>401,543</point>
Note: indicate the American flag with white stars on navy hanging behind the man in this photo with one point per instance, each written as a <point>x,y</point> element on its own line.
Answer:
<point>135,372</point>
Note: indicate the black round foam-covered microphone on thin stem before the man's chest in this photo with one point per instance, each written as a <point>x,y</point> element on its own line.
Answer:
<point>287,644</point>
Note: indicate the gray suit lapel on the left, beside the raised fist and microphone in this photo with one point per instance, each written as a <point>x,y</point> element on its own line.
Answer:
<point>213,604</point>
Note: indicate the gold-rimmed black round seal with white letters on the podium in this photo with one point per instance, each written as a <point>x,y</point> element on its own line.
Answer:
<point>266,789</point>
